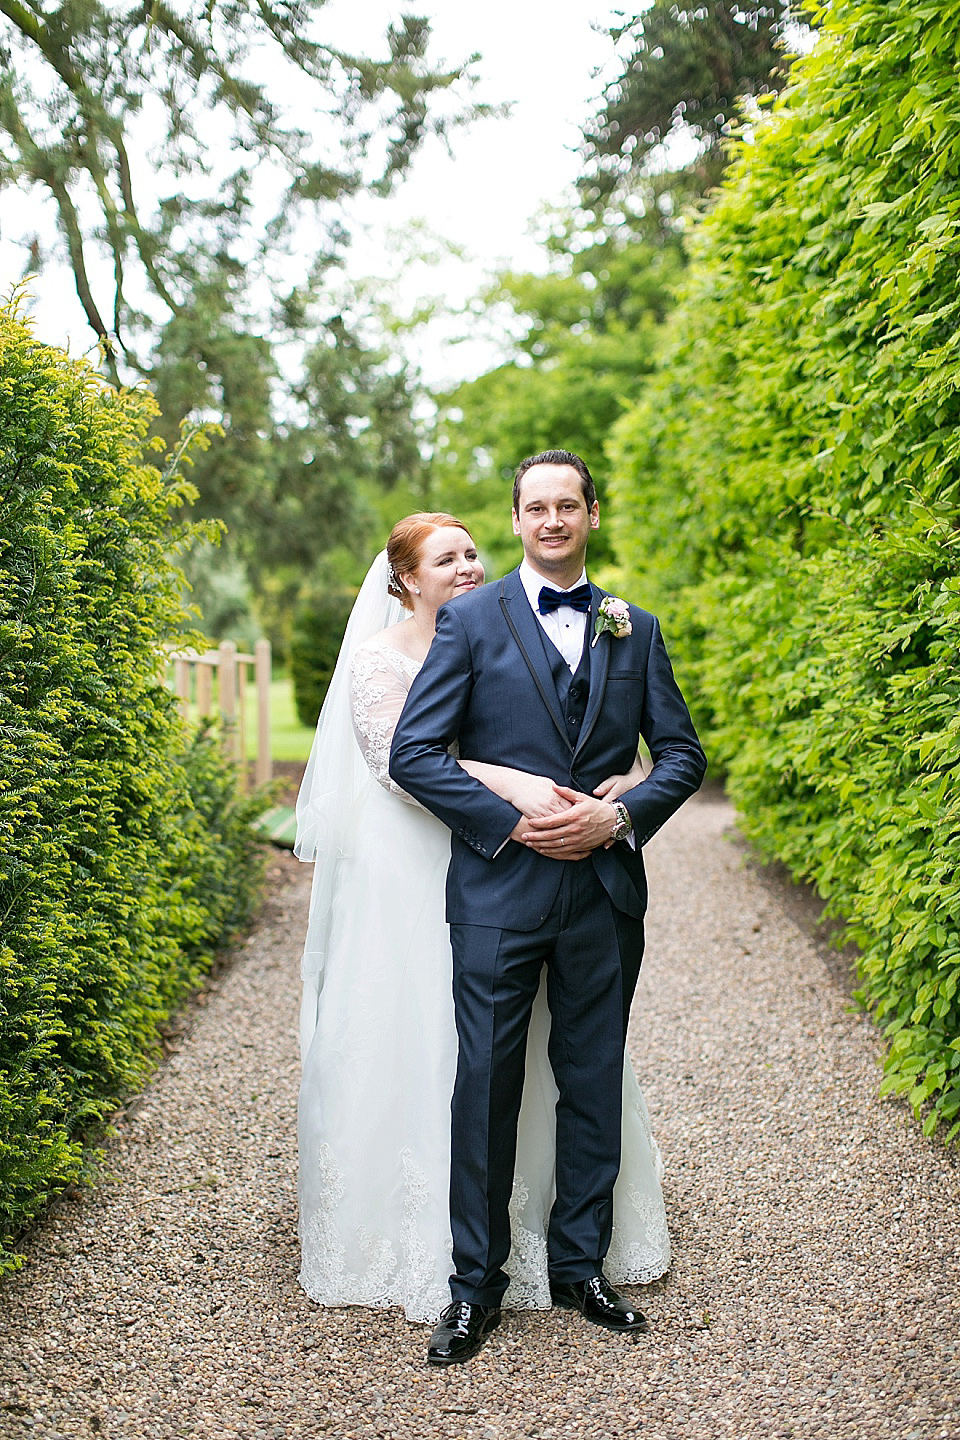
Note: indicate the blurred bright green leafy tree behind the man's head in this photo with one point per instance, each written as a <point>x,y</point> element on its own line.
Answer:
<point>584,342</point>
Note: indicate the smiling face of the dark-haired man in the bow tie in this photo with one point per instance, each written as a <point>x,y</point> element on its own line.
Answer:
<point>553,522</point>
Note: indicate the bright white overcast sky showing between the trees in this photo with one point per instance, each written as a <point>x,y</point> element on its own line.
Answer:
<point>542,57</point>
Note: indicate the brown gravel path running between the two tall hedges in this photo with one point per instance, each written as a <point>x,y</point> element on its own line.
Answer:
<point>817,1235</point>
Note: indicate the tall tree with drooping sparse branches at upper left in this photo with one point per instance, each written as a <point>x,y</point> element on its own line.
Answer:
<point>163,135</point>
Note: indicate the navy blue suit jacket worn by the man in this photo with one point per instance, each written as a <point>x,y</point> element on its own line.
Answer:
<point>487,685</point>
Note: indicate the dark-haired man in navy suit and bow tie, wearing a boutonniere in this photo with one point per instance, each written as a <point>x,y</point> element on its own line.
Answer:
<point>516,679</point>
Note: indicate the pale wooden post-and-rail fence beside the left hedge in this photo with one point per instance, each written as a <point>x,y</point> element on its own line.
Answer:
<point>194,686</point>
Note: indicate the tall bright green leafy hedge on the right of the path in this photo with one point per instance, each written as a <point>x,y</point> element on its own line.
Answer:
<point>788,498</point>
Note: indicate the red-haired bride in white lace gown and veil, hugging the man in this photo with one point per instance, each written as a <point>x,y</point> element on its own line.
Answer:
<point>378,1033</point>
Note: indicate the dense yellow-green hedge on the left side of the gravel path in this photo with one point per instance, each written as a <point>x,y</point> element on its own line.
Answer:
<point>124,856</point>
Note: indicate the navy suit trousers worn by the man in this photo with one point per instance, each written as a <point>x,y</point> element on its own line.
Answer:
<point>594,955</point>
